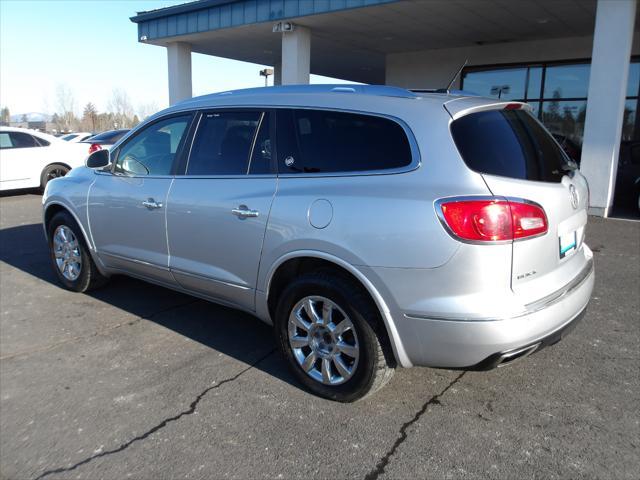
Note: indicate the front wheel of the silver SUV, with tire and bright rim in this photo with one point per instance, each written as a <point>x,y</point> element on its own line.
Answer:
<point>81,273</point>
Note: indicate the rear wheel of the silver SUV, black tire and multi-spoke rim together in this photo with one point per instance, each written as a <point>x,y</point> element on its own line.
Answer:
<point>373,365</point>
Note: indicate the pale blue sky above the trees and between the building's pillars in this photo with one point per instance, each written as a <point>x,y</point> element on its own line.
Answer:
<point>91,48</point>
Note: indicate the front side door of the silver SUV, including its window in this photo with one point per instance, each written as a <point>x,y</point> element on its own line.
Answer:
<point>127,205</point>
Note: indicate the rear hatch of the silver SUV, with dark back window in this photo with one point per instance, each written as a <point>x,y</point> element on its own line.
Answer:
<point>518,158</point>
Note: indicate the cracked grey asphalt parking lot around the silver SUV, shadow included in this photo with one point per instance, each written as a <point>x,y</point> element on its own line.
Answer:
<point>136,381</point>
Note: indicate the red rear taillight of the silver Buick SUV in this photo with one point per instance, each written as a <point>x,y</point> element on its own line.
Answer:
<point>492,219</point>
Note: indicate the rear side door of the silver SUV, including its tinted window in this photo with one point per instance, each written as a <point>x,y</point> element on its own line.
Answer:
<point>218,210</point>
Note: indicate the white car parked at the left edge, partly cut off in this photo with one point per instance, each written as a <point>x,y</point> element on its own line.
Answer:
<point>29,159</point>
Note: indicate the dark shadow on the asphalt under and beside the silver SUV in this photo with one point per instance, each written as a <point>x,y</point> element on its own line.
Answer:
<point>225,330</point>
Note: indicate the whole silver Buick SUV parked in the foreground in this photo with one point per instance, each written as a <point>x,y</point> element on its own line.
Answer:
<point>372,226</point>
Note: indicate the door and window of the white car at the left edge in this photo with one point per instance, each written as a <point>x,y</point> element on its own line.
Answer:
<point>21,160</point>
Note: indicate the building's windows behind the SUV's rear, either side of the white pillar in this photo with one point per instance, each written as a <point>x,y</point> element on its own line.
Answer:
<point>557,93</point>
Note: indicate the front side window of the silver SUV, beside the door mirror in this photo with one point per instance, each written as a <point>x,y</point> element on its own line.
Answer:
<point>153,150</point>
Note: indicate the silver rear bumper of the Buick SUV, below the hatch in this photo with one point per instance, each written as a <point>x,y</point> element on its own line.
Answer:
<point>483,344</point>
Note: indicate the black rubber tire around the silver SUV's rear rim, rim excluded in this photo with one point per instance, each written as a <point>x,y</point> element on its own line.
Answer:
<point>349,300</point>
